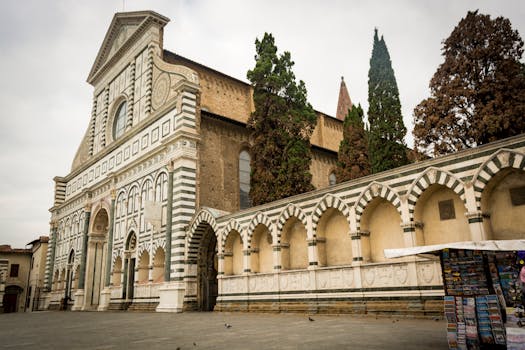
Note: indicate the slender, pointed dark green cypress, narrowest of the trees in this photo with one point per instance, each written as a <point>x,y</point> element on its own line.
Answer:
<point>387,147</point>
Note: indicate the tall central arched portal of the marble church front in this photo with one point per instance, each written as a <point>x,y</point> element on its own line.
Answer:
<point>96,260</point>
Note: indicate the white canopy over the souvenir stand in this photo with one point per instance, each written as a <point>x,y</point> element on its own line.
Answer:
<point>504,245</point>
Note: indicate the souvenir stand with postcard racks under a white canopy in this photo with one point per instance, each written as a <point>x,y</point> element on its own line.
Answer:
<point>484,285</point>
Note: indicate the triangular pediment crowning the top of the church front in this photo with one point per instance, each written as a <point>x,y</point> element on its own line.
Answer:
<point>124,30</point>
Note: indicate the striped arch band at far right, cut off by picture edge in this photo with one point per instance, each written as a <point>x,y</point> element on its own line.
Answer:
<point>504,158</point>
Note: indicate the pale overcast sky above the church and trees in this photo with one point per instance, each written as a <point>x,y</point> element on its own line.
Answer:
<point>47,49</point>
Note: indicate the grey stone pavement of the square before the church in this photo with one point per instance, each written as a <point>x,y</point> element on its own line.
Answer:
<point>131,330</point>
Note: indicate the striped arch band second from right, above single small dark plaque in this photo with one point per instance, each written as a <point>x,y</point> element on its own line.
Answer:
<point>430,177</point>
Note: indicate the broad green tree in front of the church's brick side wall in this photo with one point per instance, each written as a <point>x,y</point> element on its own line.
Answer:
<point>281,126</point>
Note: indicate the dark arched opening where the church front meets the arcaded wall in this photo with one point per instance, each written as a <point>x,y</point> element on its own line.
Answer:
<point>207,271</point>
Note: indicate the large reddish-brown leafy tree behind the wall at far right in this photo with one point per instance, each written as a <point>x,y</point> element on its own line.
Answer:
<point>478,93</point>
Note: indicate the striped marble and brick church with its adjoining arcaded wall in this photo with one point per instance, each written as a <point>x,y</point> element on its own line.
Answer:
<point>154,214</point>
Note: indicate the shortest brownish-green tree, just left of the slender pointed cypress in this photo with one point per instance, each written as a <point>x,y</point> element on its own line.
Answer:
<point>353,159</point>
